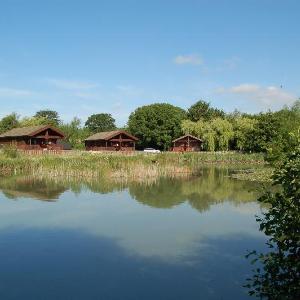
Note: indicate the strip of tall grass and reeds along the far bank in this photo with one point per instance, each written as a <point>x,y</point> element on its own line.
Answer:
<point>137,165</point>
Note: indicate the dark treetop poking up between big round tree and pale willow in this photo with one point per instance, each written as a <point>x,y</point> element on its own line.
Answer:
<point>202,110</point>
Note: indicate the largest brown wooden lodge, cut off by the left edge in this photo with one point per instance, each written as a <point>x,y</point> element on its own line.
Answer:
<point>33,138</point>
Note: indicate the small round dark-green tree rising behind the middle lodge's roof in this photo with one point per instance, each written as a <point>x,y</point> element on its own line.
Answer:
<point>100,122</point>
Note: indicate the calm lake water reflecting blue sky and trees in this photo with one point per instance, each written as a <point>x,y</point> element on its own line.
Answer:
<point>169,239</point>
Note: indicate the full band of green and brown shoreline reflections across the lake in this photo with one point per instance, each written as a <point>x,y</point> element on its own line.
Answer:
<point>212,186</point>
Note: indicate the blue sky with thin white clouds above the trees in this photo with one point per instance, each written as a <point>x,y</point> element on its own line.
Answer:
<point>82,57</point>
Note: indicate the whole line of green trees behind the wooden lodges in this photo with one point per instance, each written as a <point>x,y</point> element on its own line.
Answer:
<point>156,125</point>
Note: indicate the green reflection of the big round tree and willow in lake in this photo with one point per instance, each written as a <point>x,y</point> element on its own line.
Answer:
<point>211,187</point>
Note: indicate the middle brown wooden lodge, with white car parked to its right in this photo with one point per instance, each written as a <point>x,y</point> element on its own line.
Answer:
<point>117,140</point>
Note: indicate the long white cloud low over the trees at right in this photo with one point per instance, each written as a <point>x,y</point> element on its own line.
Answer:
<point>269,97</point>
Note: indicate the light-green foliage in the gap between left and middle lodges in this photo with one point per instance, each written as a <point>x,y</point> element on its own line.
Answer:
<point>74,133</point>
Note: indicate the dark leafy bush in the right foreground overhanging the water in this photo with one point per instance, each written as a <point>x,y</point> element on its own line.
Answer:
<point>278,277</point>
